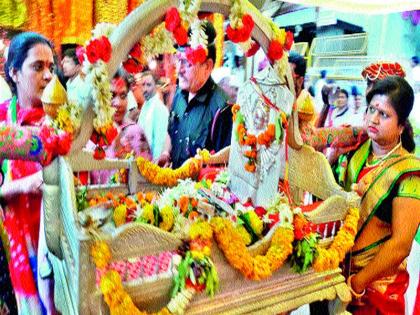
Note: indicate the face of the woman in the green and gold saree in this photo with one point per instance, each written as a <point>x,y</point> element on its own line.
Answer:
<point>382,121</point>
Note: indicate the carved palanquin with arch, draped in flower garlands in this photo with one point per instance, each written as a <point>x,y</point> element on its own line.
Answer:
<point>159,240</point>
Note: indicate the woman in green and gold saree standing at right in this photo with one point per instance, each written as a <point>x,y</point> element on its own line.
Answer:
<point>387,177</point>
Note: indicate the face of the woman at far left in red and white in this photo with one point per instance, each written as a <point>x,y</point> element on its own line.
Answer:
<point>36,72</point>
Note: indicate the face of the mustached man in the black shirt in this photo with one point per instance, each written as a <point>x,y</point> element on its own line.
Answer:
<point>192,77</point>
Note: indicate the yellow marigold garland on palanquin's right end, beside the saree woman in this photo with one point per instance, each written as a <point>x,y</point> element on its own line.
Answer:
<point>342,243</point>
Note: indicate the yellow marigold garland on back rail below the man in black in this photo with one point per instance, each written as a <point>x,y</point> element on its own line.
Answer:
<point>167,176</point>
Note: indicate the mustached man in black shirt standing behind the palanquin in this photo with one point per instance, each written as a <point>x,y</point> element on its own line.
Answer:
<point>200,116</point>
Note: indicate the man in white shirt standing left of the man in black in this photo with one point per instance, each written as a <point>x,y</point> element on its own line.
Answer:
<point>153,116</point>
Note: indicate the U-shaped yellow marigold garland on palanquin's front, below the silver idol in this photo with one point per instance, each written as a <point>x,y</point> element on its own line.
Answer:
<point>234,248</point>
